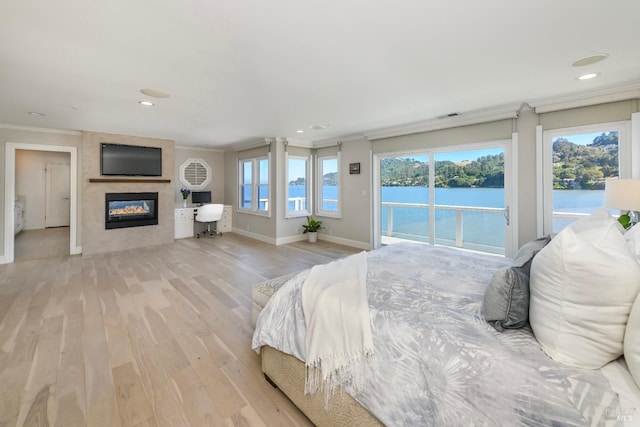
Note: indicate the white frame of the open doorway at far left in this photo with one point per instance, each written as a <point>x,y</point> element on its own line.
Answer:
<point>10,194</point>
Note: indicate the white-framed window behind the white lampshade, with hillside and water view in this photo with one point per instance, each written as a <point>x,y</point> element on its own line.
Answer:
<point>577,161</point>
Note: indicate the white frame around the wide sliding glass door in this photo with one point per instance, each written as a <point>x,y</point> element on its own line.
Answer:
<point>510,147</point>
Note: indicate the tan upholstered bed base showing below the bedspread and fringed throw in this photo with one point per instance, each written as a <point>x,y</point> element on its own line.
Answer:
<point>288,374</point>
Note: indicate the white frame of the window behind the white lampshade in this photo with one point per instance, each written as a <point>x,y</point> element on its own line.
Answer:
<point>544,140</point>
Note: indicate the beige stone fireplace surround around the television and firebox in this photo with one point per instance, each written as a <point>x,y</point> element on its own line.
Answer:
<point>97,239</point>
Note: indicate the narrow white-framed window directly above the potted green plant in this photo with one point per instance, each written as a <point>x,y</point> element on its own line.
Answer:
<point>328,179</point>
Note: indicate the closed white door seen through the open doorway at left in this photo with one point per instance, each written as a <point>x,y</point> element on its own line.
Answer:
<point>57,196</point>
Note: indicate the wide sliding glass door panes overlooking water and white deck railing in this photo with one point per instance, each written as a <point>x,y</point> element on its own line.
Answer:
<point>454,198</point>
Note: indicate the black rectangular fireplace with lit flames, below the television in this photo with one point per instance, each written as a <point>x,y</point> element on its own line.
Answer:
<point>130,210</point>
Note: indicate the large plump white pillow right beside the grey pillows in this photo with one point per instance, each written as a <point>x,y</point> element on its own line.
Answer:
<point>582,286</point>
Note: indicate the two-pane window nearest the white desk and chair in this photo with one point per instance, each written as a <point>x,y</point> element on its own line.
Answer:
<point>254,186</point>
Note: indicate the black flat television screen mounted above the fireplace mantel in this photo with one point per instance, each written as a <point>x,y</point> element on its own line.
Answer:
<point>130,160</point>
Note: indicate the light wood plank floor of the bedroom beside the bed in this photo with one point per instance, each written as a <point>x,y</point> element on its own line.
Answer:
<point>154,336</point>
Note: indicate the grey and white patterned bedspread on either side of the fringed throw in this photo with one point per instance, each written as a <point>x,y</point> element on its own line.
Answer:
<point>437,362</point>
